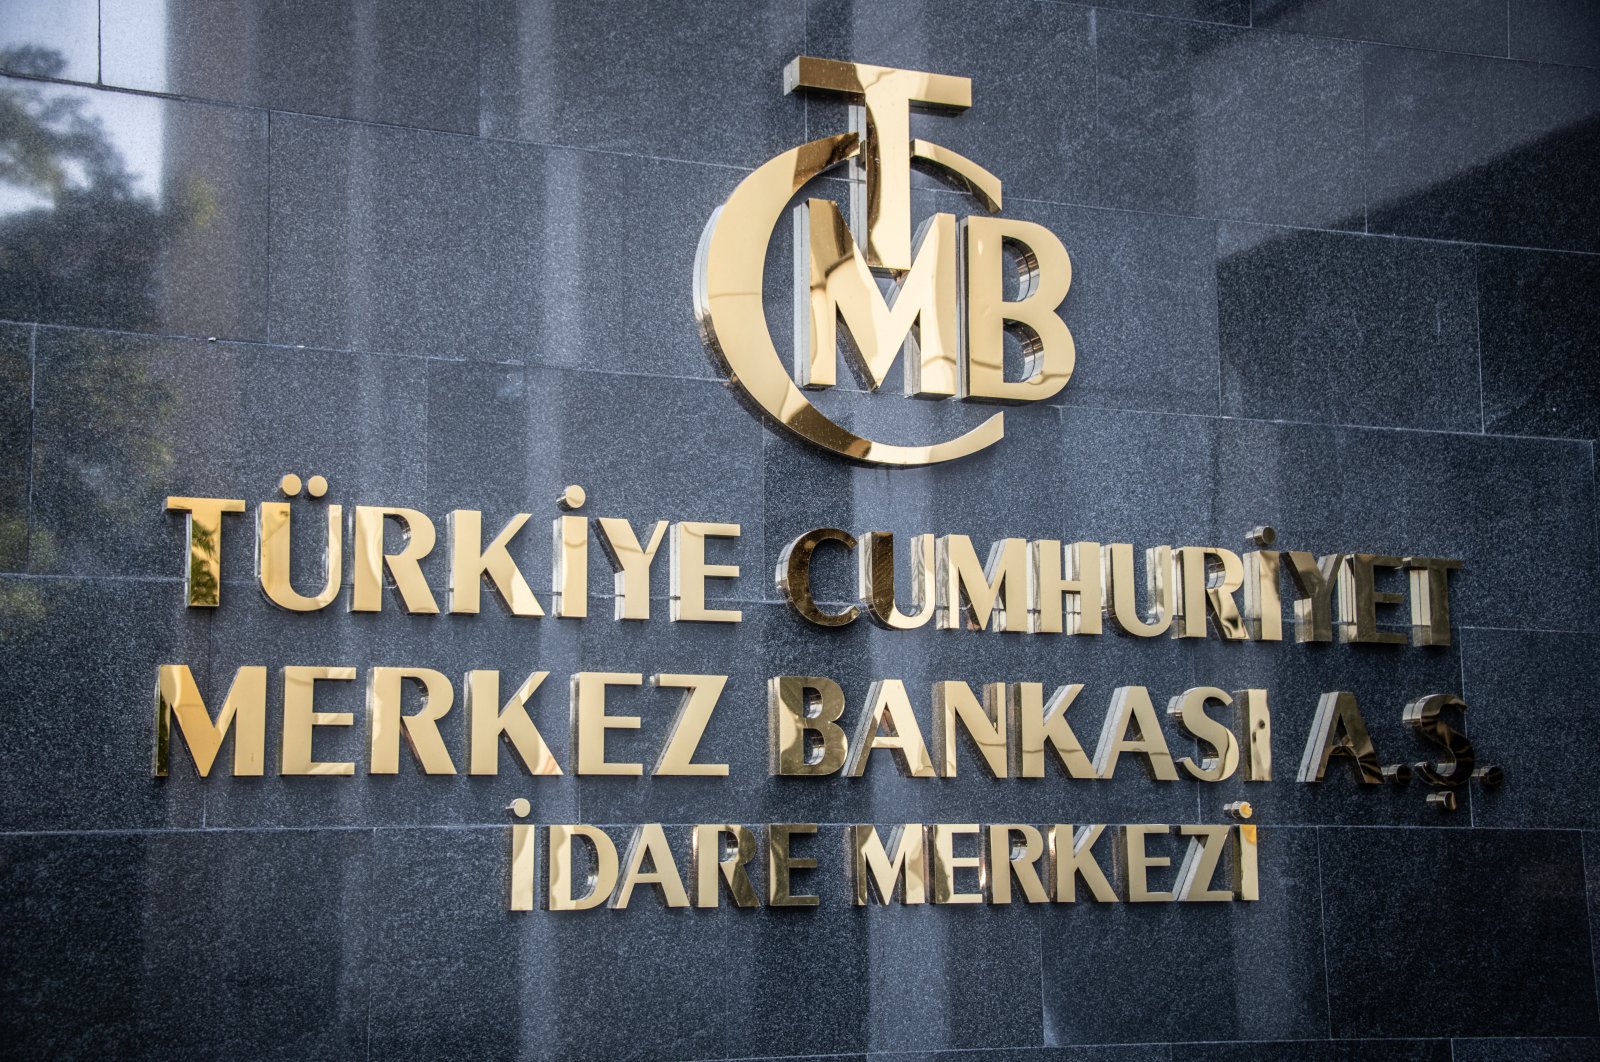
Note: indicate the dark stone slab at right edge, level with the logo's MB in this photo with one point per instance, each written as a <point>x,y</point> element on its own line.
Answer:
<point>1540,317</point>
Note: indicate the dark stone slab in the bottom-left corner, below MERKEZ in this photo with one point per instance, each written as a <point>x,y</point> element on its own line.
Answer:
<point>145,968</point>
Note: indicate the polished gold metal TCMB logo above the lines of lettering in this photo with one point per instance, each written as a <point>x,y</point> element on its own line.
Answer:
<point>946,305</point>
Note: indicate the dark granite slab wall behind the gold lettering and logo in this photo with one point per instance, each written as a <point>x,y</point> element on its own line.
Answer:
<point>1337,269</point>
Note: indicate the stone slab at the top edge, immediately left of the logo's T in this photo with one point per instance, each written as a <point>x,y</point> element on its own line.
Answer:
<point>633,78</point>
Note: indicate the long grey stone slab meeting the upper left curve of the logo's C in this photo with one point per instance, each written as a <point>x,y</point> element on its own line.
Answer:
<point>433,244</point>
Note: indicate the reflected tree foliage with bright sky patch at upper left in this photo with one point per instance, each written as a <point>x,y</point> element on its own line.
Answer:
<point>87,250</point>
